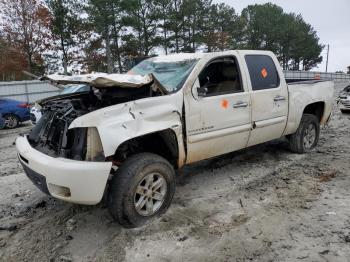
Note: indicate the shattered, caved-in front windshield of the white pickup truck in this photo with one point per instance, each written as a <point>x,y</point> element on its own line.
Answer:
<point>171,74</point>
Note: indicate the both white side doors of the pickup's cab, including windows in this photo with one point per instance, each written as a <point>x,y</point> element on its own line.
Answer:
<point>239,99</point>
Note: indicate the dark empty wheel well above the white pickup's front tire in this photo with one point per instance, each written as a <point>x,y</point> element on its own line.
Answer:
<point>163,143</point>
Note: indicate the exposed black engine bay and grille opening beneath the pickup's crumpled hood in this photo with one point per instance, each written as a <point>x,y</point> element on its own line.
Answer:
<point>51,135</point>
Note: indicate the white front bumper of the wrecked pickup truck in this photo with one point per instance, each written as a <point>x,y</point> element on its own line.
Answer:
<point>74,181</point>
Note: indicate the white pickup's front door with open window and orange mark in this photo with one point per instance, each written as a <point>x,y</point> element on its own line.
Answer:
<point>218,110</point>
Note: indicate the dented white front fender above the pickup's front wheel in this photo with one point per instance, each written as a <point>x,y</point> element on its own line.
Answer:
<point>119,123</point>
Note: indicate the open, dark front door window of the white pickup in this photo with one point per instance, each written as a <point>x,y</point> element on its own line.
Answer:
<point>220,76</point>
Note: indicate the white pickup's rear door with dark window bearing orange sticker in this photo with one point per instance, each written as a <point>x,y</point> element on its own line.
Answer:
<point>269,94</point>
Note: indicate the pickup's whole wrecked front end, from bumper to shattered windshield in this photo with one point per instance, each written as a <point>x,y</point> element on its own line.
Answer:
<point>73,148</point>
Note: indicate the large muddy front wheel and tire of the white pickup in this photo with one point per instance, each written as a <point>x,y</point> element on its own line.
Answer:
<point>142,188</point>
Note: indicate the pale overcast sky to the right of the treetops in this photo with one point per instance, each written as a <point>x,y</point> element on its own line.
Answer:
<point>331,20</point>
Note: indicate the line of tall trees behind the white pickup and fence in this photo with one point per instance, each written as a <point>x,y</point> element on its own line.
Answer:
<point>109,35</point>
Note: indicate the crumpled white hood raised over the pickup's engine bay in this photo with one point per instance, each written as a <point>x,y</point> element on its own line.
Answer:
<point>102,79</point>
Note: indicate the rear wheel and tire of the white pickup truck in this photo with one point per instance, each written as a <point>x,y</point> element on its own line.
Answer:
<point>307,135</point>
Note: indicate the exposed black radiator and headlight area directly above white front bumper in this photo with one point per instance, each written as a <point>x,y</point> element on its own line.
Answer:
<point>52,137</point>
